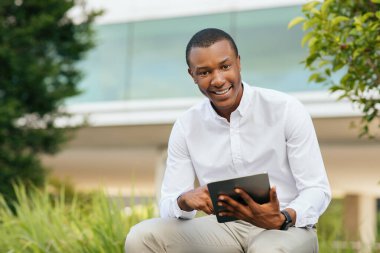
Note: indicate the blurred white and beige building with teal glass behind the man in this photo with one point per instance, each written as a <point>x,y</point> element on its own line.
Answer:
<point>136,85</point>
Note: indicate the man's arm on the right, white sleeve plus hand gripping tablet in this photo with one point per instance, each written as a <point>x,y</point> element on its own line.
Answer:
<point>307,167</point>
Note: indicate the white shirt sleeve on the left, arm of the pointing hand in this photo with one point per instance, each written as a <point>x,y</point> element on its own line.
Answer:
<point>179,175</point>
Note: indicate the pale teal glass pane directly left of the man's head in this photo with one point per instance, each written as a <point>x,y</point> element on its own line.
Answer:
<point>159,67</point>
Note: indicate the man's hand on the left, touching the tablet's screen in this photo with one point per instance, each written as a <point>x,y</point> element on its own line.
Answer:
<point>197,199</point>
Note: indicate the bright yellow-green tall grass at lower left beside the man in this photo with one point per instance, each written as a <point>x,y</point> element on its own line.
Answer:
<point>50,224</point>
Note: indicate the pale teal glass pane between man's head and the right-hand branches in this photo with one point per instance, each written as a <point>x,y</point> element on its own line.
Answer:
<point>270,53</point>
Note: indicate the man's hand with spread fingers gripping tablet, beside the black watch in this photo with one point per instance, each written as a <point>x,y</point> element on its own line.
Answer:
<point>266,216</point>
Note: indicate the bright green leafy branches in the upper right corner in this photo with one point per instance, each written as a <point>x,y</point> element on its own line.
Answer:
<point>345,36</point>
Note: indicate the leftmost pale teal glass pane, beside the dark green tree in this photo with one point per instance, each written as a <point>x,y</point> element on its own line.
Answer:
<point>105,67</point>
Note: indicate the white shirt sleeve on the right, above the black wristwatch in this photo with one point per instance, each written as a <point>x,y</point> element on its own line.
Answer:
<point>307,166</point>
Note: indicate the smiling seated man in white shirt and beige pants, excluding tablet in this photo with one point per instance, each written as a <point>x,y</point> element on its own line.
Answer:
<point>238,130</point>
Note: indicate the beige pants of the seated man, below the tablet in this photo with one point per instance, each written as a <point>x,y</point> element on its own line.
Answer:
<point>206,235</point>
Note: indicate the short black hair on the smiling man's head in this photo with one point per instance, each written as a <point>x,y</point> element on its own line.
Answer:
<point>208,37</point>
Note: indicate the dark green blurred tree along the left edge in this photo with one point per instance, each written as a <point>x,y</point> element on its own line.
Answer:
<point>39,47</point>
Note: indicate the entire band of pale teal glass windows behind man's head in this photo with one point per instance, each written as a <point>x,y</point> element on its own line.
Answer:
<point>146,59</point>
